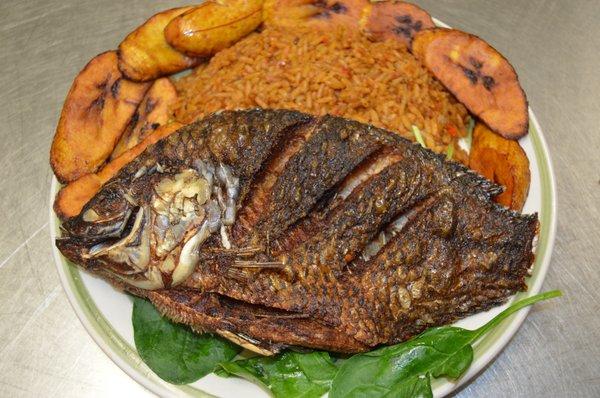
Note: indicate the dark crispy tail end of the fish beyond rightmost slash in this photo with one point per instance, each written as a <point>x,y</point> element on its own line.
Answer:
<point>448,261</point>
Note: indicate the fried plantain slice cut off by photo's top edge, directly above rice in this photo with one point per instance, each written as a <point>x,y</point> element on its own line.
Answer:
<point>320,14</point>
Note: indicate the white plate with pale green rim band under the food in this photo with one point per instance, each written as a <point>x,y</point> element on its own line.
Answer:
<point>106,314</point>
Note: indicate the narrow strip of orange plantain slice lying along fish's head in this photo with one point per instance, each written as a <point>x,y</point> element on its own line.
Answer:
<point>72,197</point>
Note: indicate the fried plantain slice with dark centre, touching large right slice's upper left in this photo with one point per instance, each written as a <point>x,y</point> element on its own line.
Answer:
<point>394,20</point>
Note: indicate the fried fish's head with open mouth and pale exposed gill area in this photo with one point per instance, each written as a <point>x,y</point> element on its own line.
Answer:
<point>146,231</point>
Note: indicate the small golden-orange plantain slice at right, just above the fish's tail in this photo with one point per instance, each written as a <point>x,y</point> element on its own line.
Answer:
<point>502,161</point>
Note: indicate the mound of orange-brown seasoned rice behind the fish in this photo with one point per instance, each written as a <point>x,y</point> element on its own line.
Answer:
<point>339,72</point>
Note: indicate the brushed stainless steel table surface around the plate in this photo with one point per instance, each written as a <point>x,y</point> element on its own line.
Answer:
<point>553,44</point>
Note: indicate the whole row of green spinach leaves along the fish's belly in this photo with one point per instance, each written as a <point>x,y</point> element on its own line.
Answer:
<point>179,356</point>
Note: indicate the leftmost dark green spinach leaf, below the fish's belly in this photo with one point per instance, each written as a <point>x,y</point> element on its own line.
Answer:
<point>175,353</point>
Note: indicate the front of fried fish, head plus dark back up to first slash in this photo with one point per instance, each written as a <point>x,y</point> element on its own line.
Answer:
<point>144,228</point>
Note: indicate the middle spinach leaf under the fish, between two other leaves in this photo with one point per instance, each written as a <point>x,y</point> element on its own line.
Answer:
<point>290,375</point>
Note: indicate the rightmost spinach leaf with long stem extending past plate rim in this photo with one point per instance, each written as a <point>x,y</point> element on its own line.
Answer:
<point>405,370</point>
